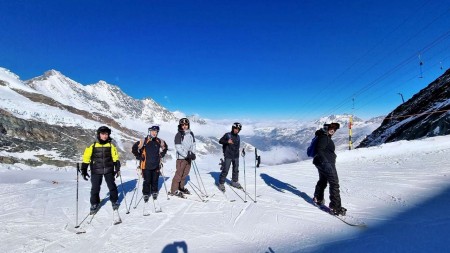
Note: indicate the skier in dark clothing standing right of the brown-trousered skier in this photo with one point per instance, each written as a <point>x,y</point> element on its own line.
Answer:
<point>230,146</point>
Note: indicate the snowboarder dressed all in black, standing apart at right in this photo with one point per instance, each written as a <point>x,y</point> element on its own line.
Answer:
<point>325,162</point>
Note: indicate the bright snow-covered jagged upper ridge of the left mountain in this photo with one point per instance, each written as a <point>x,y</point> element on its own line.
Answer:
<point>102,97</point>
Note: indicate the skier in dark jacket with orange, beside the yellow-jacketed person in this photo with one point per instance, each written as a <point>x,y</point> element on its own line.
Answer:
<point>149,152</point>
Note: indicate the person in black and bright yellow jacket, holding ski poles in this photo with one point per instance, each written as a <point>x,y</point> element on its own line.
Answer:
<point>103,158</point>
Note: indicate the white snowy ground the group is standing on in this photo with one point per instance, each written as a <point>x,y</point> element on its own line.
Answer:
<point>401,190</point>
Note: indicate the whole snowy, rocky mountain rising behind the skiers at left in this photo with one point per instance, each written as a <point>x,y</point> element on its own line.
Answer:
<point>55,117</point>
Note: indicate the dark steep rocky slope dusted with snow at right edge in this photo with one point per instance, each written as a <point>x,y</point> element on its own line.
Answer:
<point>426,114</point>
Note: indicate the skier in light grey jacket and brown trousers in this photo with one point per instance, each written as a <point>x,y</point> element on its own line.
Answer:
<point>185,146</point>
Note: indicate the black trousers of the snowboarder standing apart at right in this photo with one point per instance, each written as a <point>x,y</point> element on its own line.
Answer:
<point>328,174</point>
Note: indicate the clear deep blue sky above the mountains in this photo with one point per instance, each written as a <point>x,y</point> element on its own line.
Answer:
<point>237,59</point>
